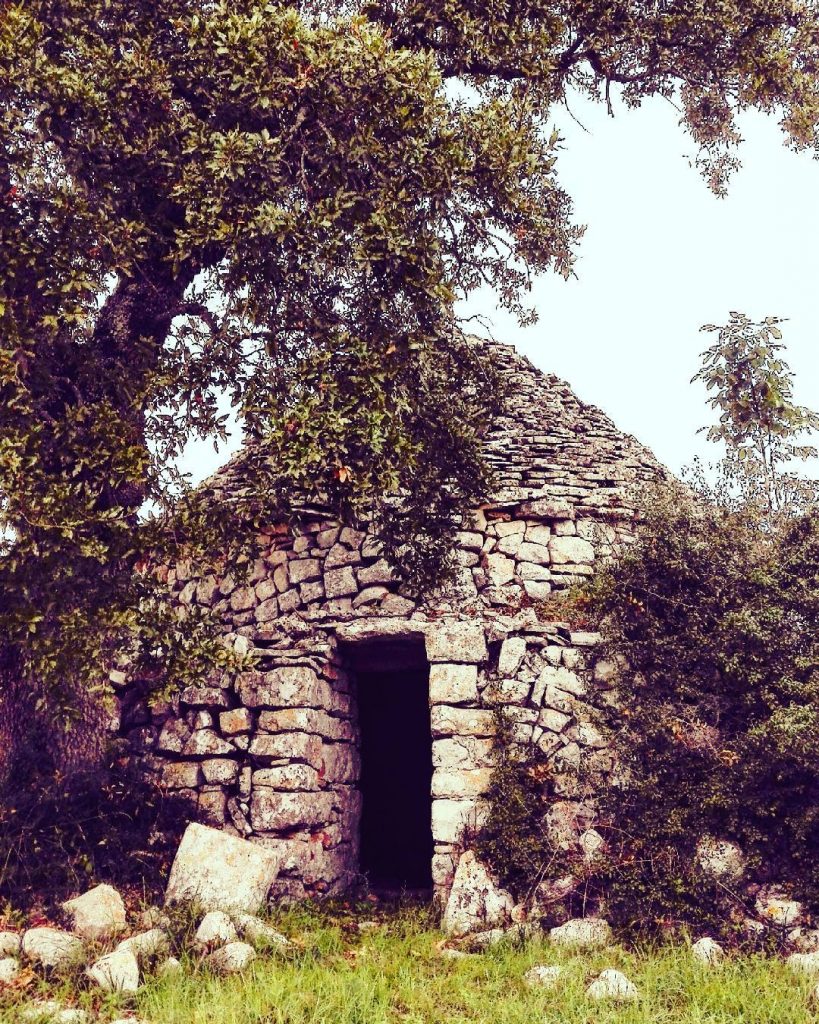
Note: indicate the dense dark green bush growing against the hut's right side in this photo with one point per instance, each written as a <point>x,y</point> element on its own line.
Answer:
<point>715,624</point>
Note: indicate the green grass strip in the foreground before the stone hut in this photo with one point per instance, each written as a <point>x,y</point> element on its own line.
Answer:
<point>395,974</point>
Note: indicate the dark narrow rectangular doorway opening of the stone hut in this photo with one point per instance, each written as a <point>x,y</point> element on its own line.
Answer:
<point>397,842</point>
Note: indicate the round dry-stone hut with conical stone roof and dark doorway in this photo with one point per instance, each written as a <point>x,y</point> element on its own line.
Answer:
<point>363,742</point>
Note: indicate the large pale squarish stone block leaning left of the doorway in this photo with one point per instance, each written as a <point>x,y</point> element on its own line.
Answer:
<point>221,872</point>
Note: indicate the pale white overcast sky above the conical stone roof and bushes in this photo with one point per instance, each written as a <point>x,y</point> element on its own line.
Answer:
<point>661,258</point>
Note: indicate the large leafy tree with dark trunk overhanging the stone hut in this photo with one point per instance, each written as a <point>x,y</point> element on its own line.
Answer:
<point>283,202</point>
